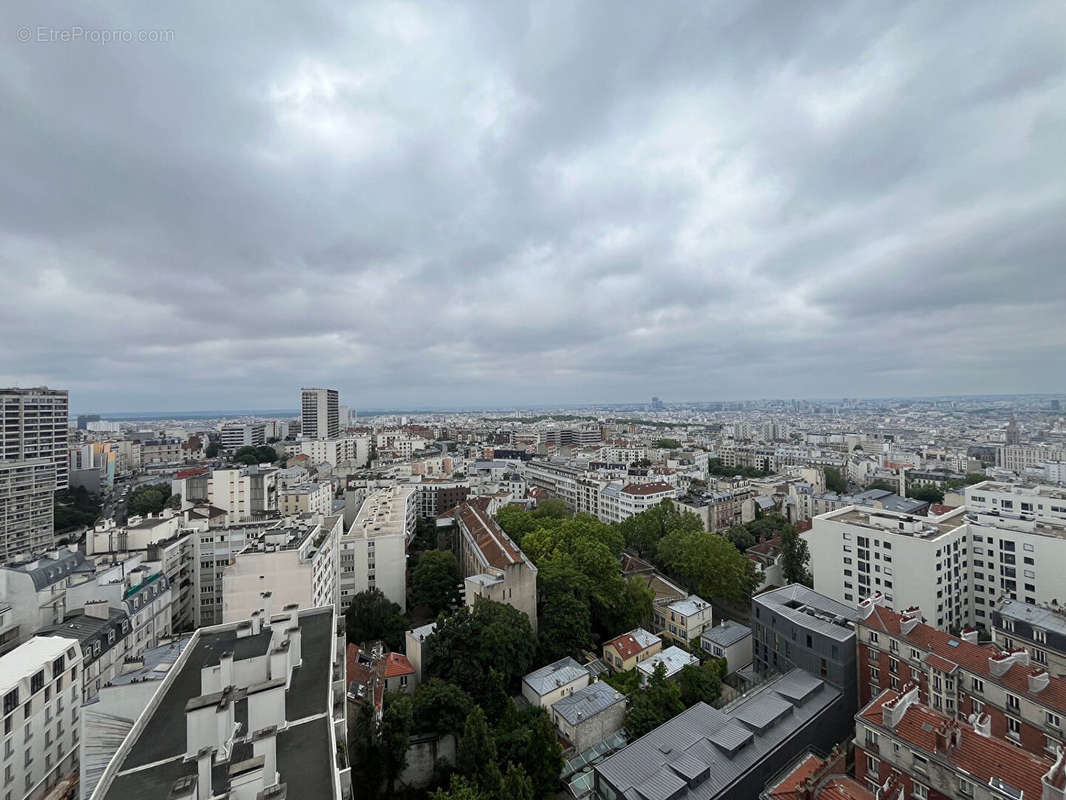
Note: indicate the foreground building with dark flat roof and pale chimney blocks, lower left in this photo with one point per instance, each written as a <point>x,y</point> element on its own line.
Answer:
<point>247,709</point>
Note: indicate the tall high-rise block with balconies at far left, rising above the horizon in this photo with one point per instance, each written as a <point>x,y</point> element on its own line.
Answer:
<point>34,425</point>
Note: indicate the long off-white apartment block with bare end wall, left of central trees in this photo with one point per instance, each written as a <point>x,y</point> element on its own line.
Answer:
<point>374,553</point>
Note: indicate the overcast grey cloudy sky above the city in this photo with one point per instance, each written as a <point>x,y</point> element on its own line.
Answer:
<point>483,205</point>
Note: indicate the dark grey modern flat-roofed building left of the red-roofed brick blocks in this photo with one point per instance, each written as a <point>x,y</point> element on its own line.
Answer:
<point>796,627</point>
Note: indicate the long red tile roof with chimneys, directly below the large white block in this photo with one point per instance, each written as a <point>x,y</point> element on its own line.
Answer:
<point>947,651</point>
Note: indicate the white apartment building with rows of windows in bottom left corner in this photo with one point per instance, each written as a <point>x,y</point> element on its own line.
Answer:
<point>40,683</point>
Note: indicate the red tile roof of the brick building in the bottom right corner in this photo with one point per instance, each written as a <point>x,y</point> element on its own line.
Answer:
<point>982,757</point>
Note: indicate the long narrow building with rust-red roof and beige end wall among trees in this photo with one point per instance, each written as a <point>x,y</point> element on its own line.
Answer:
<point>493,566</point>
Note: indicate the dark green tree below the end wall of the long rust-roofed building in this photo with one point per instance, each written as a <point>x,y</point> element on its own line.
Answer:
<point>469,644</point>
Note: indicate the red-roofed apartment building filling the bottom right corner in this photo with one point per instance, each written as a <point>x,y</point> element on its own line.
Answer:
<point>903,748</point>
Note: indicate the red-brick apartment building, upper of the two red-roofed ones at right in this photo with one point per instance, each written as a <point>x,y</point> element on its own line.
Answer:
<point>1004,692</point>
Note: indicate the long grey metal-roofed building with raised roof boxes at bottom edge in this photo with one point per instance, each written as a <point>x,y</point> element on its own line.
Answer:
<point>706,754</point>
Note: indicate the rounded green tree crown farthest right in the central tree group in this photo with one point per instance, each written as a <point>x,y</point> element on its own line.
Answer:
<point>709,565</point>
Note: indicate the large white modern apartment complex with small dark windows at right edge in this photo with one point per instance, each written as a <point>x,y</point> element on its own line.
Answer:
<point>1008,541</point>
